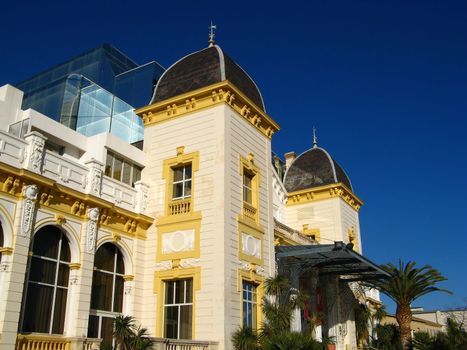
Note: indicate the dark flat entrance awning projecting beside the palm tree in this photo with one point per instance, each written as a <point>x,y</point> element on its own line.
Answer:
<point>331,259</point>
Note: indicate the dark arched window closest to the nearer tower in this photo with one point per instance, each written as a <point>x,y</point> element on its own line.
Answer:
<point>107,291</point>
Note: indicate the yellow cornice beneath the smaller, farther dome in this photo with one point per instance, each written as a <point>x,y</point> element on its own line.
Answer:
<point>316,194</point>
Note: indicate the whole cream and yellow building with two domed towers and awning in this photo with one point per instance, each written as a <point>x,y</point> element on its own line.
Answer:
<point>182,233</point>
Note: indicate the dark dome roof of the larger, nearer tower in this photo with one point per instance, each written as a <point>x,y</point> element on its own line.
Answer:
<point>204,68</point>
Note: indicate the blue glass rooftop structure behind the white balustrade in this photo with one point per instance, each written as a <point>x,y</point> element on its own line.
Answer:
<point>94,92</point>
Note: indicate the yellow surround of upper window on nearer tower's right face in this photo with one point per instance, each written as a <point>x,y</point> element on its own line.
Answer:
<point>250,212</point>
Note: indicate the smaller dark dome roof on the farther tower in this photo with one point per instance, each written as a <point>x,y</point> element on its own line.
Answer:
<point>314,168</point>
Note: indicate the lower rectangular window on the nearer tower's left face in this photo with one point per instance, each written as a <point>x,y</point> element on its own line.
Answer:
<point>178,309</point>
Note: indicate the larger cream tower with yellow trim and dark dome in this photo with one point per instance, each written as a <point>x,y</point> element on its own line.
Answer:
<point>208,148</point>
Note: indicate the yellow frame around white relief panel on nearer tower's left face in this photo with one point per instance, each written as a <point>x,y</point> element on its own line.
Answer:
<point>179,223</point>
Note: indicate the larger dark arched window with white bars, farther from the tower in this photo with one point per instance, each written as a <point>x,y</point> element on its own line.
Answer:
<point>47,283</point>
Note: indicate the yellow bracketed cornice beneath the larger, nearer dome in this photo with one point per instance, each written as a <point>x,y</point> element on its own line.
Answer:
<point>220,93</point>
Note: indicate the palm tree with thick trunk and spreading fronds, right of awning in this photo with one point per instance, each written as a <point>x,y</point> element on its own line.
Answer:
<point>406,284</point>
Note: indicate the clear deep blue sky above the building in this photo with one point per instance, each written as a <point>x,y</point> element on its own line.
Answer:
<point>384,82</point>
